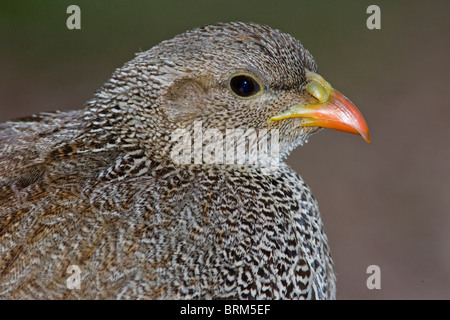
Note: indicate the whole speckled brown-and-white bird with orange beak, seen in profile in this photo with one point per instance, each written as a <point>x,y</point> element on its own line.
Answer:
<point>129,198</point>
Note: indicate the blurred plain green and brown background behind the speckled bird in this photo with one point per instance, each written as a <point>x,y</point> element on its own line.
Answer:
<point>386,203</point>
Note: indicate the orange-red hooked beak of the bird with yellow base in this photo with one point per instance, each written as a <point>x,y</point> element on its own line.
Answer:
<point>333,111</point>
